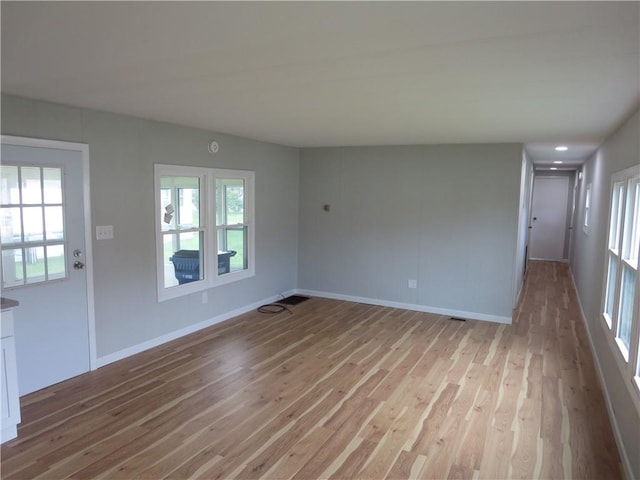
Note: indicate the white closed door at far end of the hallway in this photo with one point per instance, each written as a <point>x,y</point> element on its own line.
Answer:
<point>548,218</point>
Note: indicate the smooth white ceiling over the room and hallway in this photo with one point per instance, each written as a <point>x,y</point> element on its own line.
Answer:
<point>335,74</point>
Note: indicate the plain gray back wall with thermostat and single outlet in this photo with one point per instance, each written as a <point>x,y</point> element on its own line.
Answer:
<point>445,215</point>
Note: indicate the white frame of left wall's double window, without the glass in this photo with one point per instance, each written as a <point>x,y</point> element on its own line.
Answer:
<point>211,277</point>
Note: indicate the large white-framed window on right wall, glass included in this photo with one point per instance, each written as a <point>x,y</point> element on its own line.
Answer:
<point>621,287</point>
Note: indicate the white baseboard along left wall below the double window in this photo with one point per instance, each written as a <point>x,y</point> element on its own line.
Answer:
<point>141,347</point>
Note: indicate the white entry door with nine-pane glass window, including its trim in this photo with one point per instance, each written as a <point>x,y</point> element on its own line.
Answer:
<point>45,259</point>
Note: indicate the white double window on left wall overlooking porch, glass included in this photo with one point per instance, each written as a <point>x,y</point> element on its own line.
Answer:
<point>204,228</point>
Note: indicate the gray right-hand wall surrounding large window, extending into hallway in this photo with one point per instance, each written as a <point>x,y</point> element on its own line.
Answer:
<point>618,152</point>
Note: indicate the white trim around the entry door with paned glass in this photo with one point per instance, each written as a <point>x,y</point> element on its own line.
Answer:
<point>83,149</point>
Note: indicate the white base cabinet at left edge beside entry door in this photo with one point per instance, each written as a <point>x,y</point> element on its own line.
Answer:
<point>10,406</point>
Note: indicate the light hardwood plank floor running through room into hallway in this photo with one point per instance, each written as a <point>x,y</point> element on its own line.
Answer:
<point>338,390</point>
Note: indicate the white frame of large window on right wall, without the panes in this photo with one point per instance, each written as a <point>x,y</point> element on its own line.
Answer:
<point>623,217</point>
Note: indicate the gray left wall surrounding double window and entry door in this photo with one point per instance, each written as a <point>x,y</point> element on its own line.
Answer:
<point>123,151</point>
